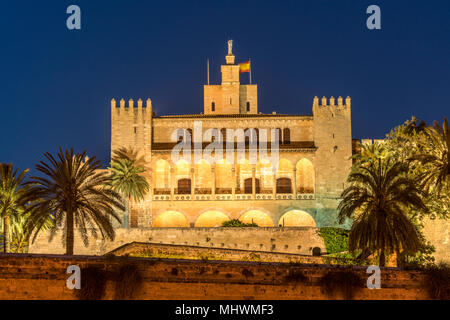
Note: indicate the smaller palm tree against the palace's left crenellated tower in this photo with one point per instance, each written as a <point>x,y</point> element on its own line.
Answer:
<point>127,179</point>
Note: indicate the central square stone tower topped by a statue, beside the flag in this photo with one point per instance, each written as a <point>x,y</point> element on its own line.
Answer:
<point>230,97</point>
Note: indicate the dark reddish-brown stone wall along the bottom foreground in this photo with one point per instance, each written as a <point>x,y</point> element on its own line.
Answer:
<point>44,277</point>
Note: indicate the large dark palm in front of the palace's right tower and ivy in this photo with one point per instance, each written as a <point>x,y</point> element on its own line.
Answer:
<point>379,195</point>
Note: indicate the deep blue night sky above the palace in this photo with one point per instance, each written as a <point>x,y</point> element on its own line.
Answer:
<point>56,85</point>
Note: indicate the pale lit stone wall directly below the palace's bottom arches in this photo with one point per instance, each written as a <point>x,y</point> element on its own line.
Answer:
<point>285,240</point>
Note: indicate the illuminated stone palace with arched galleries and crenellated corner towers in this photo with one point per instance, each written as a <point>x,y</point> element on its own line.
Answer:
<point>314,161</point>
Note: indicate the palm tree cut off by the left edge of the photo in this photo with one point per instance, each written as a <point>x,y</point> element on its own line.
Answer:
<point>13,199</point>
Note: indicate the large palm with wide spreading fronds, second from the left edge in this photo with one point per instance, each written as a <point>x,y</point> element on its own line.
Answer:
<point>74,193</point>
